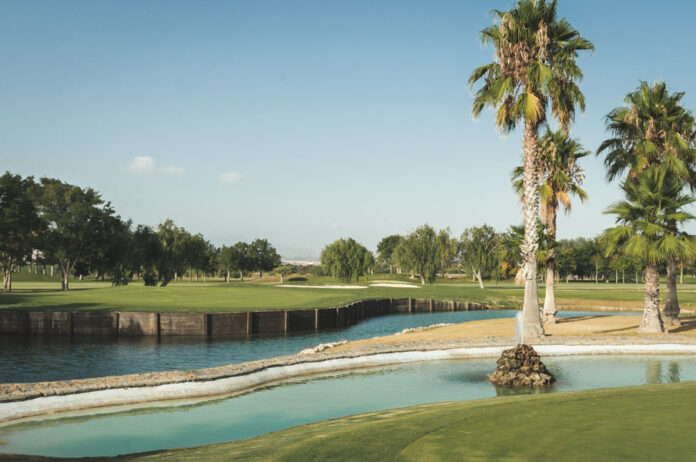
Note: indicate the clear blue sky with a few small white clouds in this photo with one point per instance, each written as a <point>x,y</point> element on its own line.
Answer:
<point>303,121</point>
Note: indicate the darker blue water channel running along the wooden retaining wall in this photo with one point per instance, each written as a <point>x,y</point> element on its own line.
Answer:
<point>44,358</point>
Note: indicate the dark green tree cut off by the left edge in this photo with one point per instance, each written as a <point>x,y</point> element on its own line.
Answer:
<point>20,223</point>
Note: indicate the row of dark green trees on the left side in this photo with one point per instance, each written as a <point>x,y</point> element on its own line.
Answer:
<point>74,228</point>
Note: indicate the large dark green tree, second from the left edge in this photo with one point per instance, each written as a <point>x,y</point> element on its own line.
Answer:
<point>73,216</point>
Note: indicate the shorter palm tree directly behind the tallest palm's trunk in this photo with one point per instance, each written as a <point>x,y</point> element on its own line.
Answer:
<point>560,178</point>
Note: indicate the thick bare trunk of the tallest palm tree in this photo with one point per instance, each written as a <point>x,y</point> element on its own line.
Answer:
<point>532,326</point>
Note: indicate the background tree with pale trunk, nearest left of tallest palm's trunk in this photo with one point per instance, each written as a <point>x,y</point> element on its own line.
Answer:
<point>477,248</point>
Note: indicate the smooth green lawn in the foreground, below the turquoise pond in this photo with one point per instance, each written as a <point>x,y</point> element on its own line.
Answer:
<point>629,424</point>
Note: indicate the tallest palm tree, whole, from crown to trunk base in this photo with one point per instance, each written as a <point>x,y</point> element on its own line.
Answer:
<point>534,65</point>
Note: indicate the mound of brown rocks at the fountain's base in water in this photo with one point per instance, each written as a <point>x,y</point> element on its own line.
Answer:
<point>521,367</point>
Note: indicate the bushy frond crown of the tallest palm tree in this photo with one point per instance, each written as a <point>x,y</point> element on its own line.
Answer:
<point>535,61</point>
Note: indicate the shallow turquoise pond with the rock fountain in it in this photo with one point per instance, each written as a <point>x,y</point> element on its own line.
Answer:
<point>314,399</point>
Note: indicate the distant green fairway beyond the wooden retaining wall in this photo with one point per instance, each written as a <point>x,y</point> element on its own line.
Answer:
<point>42,293</point>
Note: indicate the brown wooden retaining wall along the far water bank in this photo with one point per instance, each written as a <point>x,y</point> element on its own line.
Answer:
<point>112,323</point>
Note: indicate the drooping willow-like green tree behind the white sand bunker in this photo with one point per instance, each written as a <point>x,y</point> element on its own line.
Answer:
<point>423,253</point>
